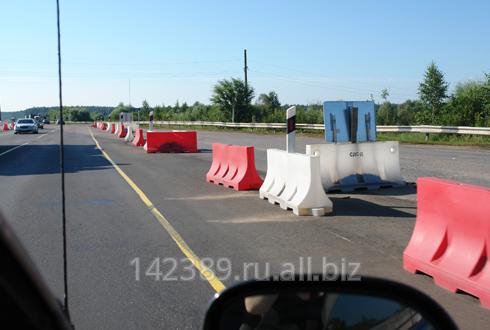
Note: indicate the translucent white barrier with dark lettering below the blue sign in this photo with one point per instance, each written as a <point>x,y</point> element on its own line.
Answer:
<point>350,166</point>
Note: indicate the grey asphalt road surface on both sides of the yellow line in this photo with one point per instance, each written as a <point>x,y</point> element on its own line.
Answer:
<point>110,230</point>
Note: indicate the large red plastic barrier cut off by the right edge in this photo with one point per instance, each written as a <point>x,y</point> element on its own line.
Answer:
<point>451,238</point>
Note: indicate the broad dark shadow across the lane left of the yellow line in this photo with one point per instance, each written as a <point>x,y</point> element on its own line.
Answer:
<point>45,159</point>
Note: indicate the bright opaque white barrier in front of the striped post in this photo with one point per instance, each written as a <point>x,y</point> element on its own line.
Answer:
<point>293,181</point>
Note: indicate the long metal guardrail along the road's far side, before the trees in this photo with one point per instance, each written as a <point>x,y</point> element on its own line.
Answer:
<point>427,129</point>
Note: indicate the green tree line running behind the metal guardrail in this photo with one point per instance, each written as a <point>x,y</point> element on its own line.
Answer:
<point>233,100</point>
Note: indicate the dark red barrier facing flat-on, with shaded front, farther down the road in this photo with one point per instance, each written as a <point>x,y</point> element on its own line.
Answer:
<point>171,141</point>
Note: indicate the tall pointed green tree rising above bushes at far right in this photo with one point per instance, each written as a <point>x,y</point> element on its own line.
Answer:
<point>433,93</point>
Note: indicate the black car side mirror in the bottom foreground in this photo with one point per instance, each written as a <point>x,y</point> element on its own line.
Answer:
<point>369,303</point>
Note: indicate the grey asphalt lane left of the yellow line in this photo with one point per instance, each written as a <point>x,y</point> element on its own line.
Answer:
<point>107,229</point>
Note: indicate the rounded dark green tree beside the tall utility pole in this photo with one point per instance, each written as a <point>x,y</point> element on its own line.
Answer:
<point>234,98</point>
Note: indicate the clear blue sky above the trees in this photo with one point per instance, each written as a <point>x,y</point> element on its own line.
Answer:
<point>306,51</point>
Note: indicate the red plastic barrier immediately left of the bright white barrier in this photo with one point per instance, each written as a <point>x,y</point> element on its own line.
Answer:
<point>234,167</point>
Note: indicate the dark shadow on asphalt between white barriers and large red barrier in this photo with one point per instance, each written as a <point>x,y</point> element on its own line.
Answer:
<point>355,207</point>
